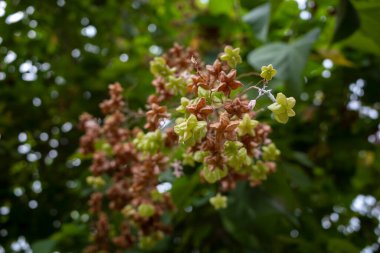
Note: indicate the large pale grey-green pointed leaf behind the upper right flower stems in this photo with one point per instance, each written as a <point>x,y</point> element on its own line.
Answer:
<point>289,59</point>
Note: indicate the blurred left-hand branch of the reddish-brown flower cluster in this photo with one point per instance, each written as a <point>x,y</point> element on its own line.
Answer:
<point>125,167</point>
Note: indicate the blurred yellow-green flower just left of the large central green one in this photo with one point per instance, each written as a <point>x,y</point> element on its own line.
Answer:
<point>150,142</point>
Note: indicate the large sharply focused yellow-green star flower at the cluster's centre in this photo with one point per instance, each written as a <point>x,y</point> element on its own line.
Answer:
<point>190,130</point>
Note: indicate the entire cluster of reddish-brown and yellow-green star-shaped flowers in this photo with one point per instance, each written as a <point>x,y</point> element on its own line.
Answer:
<point>201,109</point>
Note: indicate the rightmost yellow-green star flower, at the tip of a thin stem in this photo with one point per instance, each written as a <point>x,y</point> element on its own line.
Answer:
<point>282,108</point>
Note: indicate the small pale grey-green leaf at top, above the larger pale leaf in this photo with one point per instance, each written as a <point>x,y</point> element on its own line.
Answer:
<point>259,19</point>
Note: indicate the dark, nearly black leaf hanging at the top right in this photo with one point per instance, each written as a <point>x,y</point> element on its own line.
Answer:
<point>347,21</point>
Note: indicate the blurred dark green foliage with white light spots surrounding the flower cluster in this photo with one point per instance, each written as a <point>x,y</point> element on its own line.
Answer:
<point>58,57</point>
